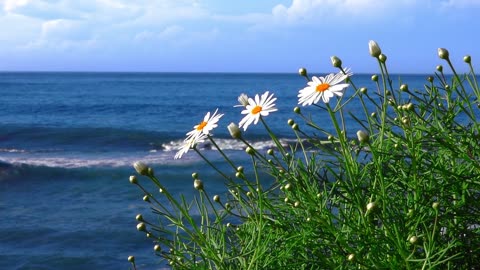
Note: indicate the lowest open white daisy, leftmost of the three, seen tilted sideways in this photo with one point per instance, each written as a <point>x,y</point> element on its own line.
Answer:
<point>199,133</point>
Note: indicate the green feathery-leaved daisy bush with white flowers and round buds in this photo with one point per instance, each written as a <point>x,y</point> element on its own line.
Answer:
<point>401,193</point>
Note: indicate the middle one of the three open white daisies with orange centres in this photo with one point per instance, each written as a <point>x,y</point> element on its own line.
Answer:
<point>261,106</point>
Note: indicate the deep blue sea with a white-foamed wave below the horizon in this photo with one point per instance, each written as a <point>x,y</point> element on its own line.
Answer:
<point>68,141</point>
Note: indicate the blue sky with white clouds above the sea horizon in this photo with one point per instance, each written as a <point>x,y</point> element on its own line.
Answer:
<point>234,36</point>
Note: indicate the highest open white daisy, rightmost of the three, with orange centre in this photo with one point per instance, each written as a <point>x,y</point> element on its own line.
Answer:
<point>324,88</point>
